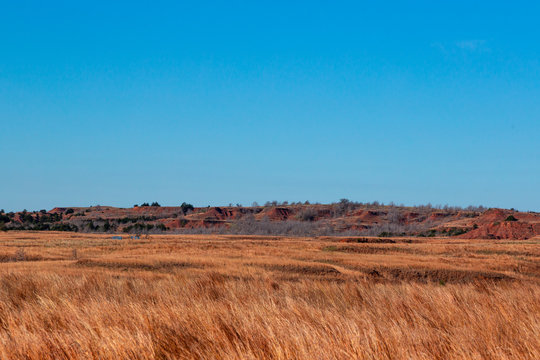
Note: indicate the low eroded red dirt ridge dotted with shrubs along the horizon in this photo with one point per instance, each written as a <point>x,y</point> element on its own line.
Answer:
<point>366,219</point>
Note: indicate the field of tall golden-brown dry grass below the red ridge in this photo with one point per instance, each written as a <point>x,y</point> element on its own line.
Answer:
<point>80,296</point>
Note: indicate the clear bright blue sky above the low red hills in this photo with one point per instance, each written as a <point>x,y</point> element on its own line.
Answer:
<point>117,103</point>
